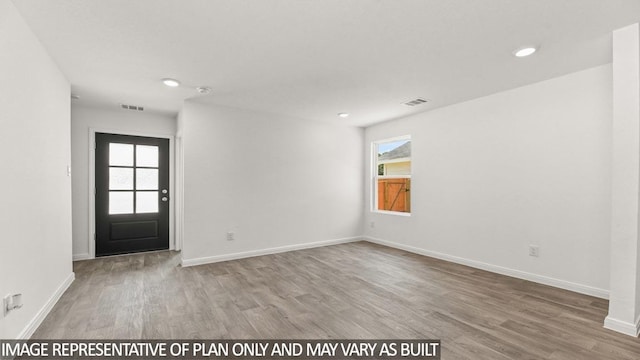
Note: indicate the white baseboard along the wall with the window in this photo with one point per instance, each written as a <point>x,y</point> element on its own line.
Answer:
<point>562,284</point>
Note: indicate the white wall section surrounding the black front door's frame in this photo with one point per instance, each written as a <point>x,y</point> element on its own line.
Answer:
<point>114,120</point>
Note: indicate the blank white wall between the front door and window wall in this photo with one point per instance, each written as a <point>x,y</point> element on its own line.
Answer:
<point>275,182</point>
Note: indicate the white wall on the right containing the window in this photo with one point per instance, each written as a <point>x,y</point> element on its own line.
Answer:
<point>493,175</point>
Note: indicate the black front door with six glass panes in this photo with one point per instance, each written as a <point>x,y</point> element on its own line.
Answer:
<point>132,194</point>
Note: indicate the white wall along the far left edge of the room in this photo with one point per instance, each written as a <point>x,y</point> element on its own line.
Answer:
<point>35,211</point>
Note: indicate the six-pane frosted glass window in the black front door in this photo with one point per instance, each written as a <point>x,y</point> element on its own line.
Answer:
<point>133,179</point>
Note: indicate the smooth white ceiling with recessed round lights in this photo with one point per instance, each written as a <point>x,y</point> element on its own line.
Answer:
<point>312,59</point>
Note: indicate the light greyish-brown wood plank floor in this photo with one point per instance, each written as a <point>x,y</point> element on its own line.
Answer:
<point>355,291</point>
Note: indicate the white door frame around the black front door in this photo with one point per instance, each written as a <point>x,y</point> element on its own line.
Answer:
<point>175,242</point>
